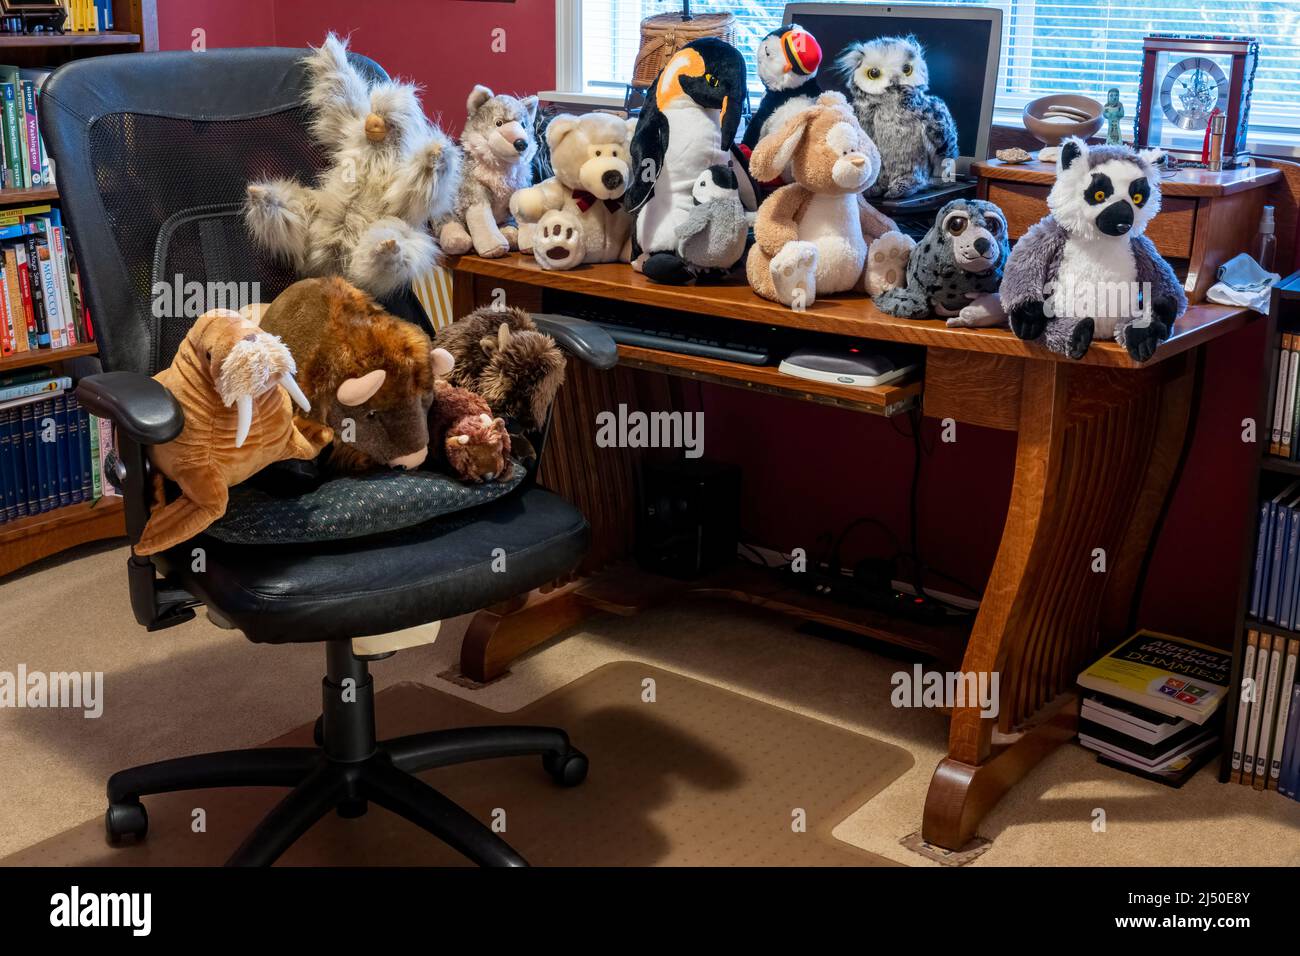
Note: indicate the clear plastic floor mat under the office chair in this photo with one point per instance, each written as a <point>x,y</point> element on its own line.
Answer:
<point>683,773</point>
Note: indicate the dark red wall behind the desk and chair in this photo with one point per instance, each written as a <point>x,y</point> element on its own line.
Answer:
<point>808,469</point>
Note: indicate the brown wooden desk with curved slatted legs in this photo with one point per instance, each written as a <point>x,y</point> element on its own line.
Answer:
<point>1099,444</point>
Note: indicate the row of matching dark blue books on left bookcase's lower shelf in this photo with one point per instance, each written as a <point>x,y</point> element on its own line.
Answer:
<point>51,449</point>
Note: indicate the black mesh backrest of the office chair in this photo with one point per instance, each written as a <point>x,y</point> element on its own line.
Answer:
<point>153,194</point>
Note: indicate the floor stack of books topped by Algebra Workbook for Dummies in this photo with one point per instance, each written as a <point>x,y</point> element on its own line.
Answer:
<point>1155,707</point>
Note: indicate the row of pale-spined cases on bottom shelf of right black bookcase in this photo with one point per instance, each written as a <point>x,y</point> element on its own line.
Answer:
<point>1267,739</point>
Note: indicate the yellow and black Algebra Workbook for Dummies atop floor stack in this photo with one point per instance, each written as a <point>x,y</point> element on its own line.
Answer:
<point>1171,676</point>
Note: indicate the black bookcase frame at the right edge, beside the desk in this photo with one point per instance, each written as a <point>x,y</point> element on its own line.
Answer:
<point>1272,475</point>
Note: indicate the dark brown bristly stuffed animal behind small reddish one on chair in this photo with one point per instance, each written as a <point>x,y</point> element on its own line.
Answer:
<point>502,357</point>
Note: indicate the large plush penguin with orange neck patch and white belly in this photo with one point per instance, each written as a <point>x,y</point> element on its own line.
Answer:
<point>687,126</point>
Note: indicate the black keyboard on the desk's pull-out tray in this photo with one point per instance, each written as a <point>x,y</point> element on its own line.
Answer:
<point>686,334</point>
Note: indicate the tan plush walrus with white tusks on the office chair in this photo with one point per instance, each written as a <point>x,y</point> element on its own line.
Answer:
<point>236,387</point>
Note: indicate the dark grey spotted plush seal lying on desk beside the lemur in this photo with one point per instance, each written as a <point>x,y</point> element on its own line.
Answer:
<point>956,270</point>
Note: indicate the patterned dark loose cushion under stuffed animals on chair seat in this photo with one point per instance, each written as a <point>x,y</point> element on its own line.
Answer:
<point>352,507</point>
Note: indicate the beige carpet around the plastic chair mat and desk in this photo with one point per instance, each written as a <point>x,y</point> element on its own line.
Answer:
<point>198,689</point>
